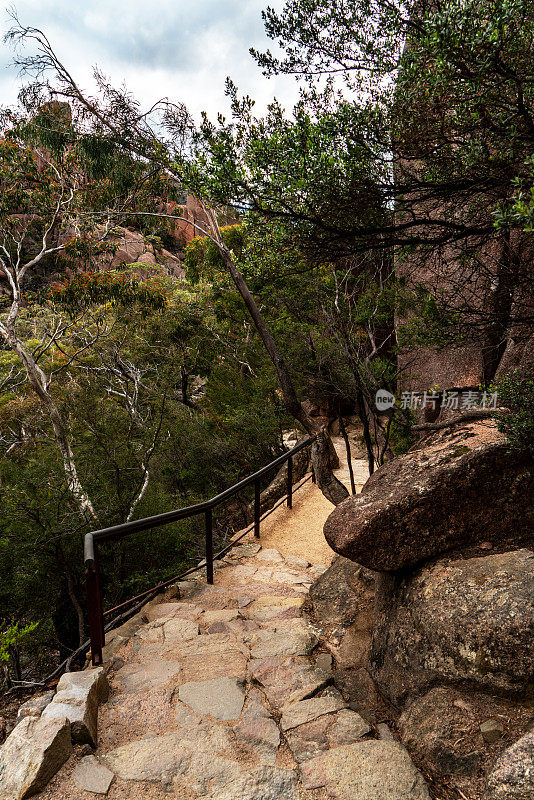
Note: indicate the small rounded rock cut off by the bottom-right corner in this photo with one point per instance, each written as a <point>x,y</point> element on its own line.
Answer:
<point>512,778</point>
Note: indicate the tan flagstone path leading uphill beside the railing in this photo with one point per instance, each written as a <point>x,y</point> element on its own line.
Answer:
<point>221,694</point>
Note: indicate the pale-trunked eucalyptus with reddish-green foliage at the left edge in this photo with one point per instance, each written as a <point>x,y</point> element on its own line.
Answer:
<point>54,181</point>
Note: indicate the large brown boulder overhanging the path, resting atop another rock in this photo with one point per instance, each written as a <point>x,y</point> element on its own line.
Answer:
<point>465,489</point>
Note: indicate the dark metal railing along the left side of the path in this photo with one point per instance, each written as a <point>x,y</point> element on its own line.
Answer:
<point>93,540</point>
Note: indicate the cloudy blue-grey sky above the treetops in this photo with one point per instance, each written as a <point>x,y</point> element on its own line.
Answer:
<point>183,49</point>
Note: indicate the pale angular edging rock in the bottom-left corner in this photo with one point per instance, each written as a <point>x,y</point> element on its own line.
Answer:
<point>31,755</point>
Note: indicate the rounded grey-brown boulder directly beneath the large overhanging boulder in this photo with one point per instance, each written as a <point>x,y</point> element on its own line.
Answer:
<point>457,621</point>
